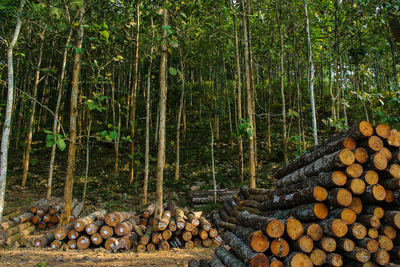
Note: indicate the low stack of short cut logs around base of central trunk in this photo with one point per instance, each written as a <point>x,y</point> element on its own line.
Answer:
<point>178,228</point>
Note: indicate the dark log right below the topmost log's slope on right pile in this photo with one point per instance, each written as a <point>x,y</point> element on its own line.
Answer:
<point>327,163</point>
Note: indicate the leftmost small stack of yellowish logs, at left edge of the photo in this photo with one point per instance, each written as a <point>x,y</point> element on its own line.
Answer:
<point>42,214</point>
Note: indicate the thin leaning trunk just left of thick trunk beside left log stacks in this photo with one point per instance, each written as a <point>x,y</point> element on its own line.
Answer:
<point>55,121</point>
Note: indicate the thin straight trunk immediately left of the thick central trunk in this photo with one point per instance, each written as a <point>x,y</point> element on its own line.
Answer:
<point>147,149</point>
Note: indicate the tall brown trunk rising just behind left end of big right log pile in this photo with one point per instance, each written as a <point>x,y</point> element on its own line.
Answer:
<point>252,165</point>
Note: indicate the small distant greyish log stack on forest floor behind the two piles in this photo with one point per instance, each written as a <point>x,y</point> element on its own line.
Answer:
<point>201,197</point>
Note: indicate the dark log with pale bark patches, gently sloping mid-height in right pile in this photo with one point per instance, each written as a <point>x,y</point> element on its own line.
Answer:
<point>305,196</point>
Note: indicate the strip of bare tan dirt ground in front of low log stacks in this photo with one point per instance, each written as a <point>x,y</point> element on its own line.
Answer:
<point>99,257</point>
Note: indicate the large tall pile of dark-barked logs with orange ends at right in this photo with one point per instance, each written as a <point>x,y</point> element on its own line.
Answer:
<point>336,204</point>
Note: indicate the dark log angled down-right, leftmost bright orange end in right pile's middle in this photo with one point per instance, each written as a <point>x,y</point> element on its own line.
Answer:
<point>271,226</point>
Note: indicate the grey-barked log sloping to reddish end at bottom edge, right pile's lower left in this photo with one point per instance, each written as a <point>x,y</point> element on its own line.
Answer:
<point>245,253</point>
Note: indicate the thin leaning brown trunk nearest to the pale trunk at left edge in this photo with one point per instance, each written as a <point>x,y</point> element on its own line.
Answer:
<point>32,117</point>
